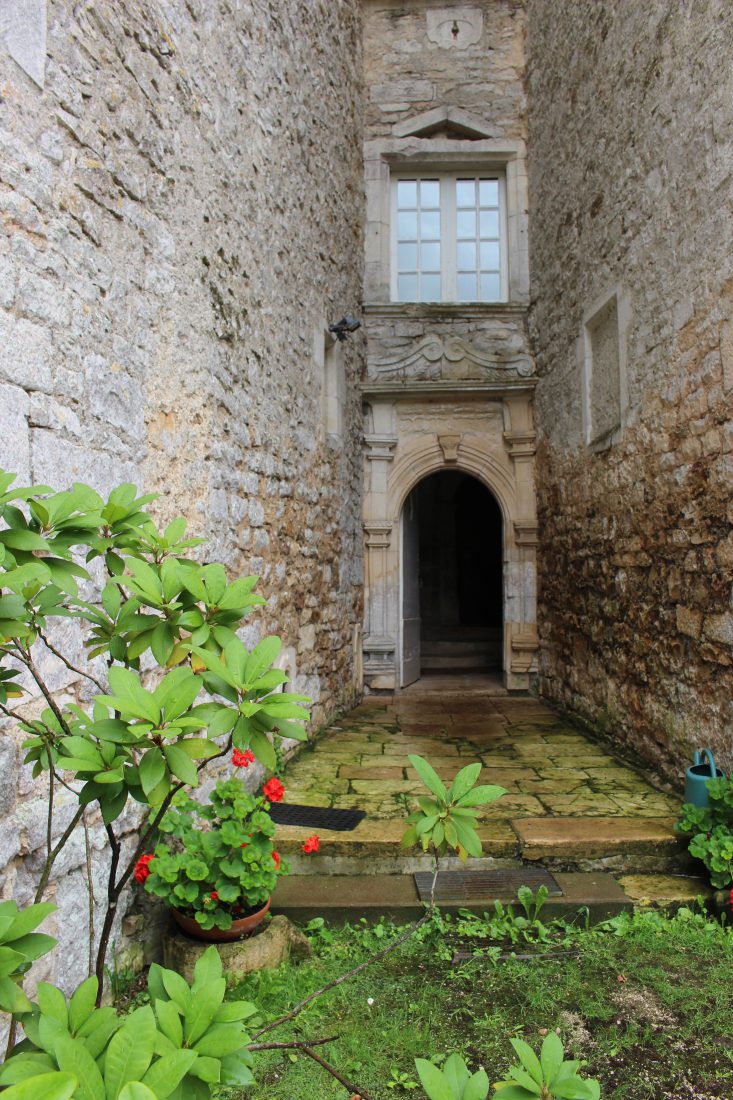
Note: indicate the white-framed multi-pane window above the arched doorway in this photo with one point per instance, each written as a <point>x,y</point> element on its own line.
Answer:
<point>450,237</point>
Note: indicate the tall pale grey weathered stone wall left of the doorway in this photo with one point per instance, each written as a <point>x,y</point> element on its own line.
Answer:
<point>182,211</point>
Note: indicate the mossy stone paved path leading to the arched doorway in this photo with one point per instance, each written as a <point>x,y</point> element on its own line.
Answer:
<point>567,796</point>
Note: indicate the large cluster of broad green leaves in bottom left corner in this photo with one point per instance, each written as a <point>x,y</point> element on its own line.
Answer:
<point>181,1047</point>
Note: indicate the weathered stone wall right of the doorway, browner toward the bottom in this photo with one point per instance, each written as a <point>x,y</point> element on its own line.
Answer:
<point>631,139</point>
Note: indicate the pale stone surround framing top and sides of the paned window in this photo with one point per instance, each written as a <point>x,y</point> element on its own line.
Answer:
<point>442,155</point>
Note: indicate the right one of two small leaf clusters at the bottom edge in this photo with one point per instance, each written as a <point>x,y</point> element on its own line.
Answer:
<point>548,1077</point>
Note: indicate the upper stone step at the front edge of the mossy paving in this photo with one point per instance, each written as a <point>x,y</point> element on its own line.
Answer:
<point>623,845</point>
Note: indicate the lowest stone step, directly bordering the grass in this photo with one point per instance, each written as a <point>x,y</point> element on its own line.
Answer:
<point>345,898</point>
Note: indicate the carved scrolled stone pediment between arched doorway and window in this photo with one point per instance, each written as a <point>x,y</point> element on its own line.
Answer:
<point>448,359</point>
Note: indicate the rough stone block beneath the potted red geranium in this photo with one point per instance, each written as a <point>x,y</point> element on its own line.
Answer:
<point>268,949</point>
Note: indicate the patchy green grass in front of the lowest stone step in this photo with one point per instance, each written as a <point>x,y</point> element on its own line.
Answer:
<point>647,1002</point>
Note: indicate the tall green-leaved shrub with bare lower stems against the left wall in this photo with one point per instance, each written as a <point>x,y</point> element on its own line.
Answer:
<point>143,738</point>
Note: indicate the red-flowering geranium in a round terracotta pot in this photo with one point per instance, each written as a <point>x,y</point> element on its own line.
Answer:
<point>220,867</point>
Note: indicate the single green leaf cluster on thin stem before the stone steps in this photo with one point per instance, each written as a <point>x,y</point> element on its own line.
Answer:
<point>448,820</point>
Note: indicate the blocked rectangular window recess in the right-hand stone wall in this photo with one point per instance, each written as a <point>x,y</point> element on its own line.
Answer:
<point>605,371</point>
